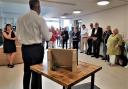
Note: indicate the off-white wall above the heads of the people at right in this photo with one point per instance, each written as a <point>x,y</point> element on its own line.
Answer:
<point>115,17</point>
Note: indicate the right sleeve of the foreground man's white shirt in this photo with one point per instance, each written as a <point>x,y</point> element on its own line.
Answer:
<point>44,30</point>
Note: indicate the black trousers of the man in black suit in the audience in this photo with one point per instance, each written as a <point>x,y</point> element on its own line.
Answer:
<point>96,48</point>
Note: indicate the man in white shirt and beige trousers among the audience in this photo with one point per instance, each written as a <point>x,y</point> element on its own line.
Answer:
<point>84,38</point>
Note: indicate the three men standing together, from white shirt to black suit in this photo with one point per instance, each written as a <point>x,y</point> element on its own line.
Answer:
<point>91,40</point>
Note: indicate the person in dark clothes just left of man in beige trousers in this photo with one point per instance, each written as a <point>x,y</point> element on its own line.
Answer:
<point>76,38</point>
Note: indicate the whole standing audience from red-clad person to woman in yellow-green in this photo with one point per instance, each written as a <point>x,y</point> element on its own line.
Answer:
<point>89,40</point>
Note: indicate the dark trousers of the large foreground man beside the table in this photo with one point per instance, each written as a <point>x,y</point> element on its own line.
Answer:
<point>32,54</point>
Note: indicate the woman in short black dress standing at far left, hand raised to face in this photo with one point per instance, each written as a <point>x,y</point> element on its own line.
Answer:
<point>9,45</point>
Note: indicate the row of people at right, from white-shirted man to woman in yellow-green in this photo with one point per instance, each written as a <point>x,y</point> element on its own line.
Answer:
<point>111,39</point>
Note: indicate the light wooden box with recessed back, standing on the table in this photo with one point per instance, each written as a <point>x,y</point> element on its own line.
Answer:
<point>62,58</point>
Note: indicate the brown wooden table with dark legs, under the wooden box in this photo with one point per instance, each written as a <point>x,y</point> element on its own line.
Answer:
<point>67,78</point>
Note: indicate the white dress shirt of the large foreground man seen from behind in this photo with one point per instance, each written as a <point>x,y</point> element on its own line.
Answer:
<point>32,29</point>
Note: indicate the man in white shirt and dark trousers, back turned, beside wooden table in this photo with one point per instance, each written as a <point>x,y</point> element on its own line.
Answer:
<point>31,32</point>
